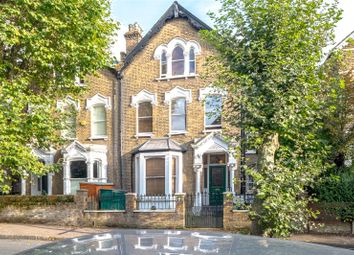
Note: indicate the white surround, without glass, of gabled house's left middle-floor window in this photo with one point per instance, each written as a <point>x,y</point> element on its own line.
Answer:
<point>142,97</point>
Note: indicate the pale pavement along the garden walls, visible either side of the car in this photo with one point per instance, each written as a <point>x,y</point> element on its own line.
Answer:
<point>51,233</point>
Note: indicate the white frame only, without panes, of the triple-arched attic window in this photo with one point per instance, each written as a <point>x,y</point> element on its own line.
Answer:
<point>168,48</point>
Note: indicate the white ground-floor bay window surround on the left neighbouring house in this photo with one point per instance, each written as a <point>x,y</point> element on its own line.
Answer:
<point>88,154</point>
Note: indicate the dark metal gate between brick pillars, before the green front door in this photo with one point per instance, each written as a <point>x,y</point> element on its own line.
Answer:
<point>203,212</point>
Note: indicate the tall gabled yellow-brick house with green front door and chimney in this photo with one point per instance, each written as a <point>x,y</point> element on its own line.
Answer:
<point>171,125</point>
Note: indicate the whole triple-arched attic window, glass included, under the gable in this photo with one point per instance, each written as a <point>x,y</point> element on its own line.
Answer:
<point>166,55</point>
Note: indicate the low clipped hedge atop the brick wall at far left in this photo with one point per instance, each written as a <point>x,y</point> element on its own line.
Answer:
<point>34,201</point>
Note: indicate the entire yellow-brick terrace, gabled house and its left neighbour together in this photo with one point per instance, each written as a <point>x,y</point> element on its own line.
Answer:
<point>151,126</point>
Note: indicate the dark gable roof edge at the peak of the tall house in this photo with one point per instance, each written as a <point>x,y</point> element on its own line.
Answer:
<point>175,11</point>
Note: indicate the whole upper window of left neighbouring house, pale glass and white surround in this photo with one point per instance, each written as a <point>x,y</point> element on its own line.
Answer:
<point>98,106</point>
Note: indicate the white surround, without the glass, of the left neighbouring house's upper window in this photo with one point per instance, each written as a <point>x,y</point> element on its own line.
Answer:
<point>91,103</point>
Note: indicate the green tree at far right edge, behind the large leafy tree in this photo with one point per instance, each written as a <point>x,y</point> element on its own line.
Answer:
<point>339,125</point>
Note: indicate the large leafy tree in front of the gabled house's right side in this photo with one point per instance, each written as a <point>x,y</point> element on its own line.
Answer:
<point>268,60</point>
